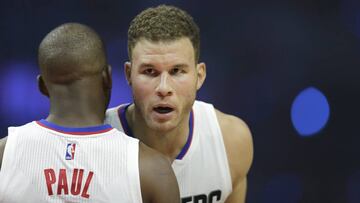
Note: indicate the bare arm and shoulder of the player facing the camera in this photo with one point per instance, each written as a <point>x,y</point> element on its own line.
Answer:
<point>239,150</point>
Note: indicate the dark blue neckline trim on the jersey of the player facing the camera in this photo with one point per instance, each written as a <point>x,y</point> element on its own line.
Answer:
<point>127,130</point>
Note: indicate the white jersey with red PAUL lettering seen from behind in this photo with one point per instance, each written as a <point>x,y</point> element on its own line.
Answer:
<point>44,162</point>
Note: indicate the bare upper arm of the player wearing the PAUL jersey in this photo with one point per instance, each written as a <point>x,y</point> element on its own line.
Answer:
<point>158,181</point>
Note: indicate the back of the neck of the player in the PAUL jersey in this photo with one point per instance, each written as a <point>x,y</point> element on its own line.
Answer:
<point>77,108</point>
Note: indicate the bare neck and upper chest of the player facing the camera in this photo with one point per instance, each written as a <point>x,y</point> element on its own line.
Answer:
<point>168,142</point>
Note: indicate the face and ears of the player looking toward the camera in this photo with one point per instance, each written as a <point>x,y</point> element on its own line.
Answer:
<point>164,78</point>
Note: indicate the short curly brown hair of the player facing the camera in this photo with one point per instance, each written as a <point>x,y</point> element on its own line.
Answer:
<point>163,23</point>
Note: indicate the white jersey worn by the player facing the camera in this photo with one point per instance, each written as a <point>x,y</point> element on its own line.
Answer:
<point>201,168</point>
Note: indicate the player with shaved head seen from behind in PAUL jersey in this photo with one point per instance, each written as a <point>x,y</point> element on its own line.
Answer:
<point>71,156</point>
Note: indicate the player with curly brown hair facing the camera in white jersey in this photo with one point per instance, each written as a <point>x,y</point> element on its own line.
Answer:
<point>211,151</point>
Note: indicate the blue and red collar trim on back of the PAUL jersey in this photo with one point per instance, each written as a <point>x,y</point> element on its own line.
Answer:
<point>72,130</point>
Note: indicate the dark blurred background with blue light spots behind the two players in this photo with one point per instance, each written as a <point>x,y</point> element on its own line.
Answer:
<point>290,69</point>
